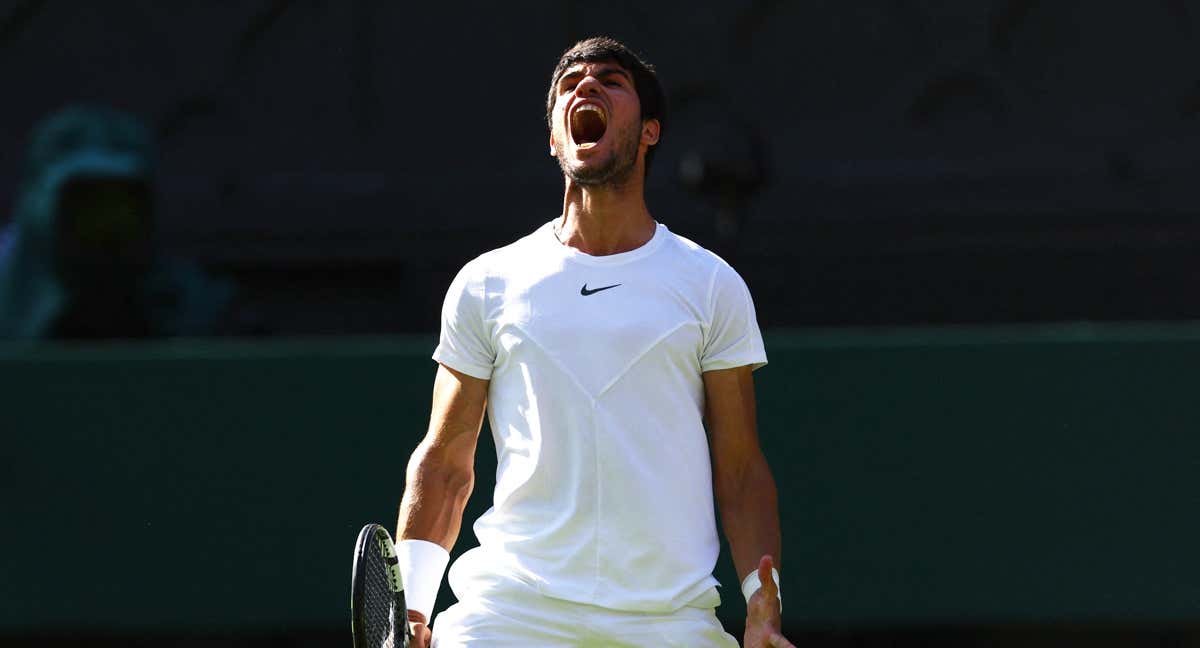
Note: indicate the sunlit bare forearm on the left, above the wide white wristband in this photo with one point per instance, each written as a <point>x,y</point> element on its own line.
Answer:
<point>435,497</point>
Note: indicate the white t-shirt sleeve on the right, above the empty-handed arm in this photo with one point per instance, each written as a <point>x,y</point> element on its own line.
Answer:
<point>733,339</point>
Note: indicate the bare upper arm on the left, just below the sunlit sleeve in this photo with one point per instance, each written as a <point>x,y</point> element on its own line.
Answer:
<point>457,416</point>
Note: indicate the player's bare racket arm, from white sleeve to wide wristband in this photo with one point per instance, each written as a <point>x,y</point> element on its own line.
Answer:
<point>442,471</point>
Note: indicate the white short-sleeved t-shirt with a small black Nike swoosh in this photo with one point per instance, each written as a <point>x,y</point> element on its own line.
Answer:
<point>604,489</point>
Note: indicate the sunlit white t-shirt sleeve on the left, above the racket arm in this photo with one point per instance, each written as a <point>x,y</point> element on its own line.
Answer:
<point>465,344</point>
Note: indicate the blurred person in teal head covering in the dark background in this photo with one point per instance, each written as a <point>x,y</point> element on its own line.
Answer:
<point>80,261</point>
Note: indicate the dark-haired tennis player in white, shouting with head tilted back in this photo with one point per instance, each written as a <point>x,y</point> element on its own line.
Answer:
<point>601,344</point>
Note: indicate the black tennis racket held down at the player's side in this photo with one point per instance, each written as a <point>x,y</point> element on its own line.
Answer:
<point>379,617</point>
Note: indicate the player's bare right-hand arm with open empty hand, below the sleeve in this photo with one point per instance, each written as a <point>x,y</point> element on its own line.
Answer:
<point>746,496</point>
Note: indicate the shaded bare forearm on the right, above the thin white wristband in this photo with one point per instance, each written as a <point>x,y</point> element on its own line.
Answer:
<point>749,508</point>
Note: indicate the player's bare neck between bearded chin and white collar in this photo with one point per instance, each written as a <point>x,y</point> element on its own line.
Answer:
<point>605,220</point>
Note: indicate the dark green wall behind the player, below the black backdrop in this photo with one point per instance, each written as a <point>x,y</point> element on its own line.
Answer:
<point>976,476</point>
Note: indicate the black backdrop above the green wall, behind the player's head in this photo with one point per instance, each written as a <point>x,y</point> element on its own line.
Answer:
<point>917,163</point>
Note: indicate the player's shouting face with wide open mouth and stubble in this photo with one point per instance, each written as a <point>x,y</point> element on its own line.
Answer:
<point>597,129</point>
